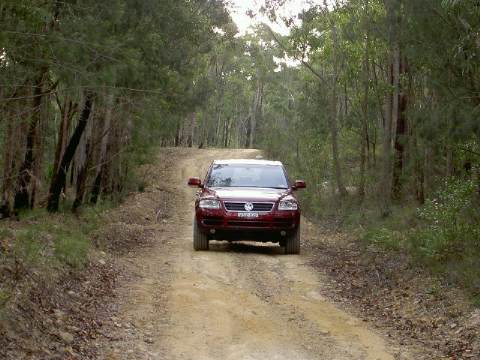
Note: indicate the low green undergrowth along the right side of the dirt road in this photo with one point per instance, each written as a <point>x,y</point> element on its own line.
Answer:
<point>442,235</point>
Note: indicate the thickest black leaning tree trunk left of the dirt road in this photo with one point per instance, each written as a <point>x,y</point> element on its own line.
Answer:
<point>58,179</point>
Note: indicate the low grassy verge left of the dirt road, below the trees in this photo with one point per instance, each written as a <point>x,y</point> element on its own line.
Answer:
<point>42,247</point>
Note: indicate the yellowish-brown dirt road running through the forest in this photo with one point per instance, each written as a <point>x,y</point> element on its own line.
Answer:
<point>241,301</point>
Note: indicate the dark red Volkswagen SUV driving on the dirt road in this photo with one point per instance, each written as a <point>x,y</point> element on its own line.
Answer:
<point>247,200</point>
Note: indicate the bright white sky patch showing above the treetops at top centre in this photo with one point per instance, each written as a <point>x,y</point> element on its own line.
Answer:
<point>239,8</point>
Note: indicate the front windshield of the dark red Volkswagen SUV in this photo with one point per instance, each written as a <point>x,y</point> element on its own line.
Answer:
<point>247,175</point>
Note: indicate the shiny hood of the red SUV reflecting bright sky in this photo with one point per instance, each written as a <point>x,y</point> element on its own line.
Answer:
<point>247,194</point>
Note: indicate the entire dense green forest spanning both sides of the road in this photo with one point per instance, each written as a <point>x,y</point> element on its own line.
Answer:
<point>375,103</point>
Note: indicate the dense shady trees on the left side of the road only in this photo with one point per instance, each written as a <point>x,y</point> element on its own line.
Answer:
<point>88,87</point>
